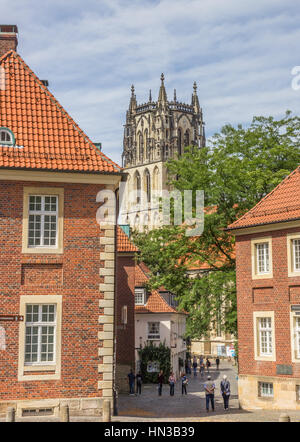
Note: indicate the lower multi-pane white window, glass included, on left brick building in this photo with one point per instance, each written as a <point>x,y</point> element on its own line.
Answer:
<point>40,333</point>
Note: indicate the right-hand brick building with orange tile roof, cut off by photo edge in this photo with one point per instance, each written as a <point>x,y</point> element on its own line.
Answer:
<point>268,299</point>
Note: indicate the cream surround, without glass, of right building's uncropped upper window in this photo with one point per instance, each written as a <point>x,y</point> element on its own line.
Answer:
<point>255,247</point>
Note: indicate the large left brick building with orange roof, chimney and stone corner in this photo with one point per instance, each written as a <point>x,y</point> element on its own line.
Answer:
<point>57,265</point>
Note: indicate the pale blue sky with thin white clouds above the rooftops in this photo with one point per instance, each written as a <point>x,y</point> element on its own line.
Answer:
<point>241,54</point>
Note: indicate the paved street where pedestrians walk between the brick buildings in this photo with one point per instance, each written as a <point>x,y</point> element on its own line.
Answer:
<point>149,407</point>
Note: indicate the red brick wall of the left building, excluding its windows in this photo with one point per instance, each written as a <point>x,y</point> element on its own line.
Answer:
<point>73,274</point>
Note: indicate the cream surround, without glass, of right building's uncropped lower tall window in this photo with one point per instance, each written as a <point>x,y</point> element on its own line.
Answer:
<point>258,355</point>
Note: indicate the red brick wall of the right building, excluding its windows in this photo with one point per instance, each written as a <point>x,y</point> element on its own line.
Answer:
<point>274,294</point>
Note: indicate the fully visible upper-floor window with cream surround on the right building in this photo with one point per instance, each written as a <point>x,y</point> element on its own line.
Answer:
<point>261,252</point>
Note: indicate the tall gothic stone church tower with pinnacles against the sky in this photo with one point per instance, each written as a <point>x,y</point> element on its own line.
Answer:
<point>155,132</point>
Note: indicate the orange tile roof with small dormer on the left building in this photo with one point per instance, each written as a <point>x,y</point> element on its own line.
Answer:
<point>47,138</point>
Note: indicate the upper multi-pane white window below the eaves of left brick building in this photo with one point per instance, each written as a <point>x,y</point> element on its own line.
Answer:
<point>42,222</point>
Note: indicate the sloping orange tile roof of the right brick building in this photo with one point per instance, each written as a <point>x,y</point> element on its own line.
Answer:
<point>282,204</point>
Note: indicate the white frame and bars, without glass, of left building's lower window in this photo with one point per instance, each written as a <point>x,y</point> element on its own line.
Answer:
<point>40,324</point>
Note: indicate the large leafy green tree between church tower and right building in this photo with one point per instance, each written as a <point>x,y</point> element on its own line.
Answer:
<point>236,170</point>
